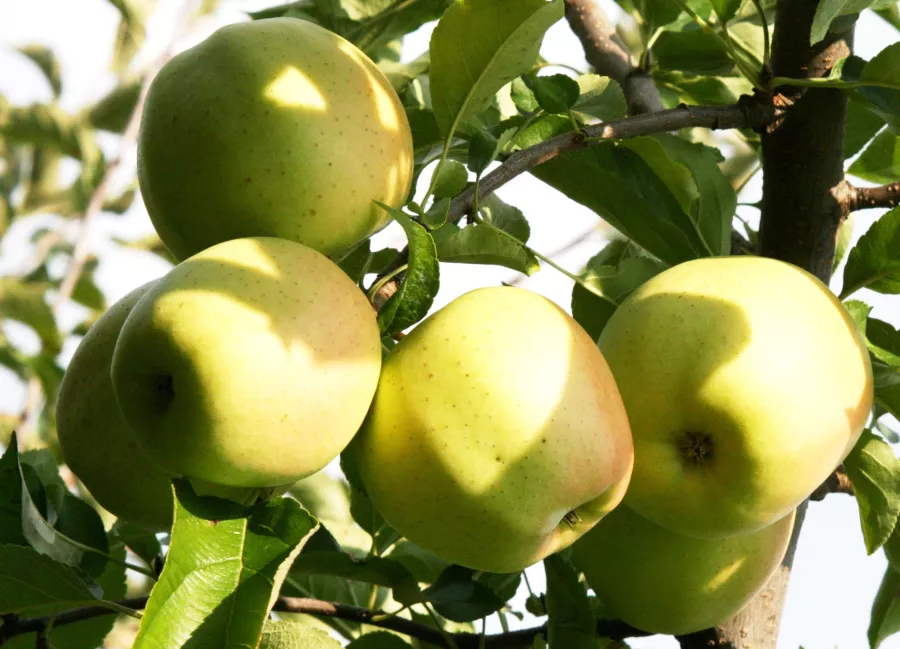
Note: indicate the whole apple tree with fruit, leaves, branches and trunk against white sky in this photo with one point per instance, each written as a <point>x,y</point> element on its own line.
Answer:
<point>126,540</point>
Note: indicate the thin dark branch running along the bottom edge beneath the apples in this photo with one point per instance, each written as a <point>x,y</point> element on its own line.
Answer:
<point>13,626</point>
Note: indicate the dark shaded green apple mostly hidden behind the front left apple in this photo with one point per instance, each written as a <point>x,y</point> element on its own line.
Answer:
<point>96,444</point>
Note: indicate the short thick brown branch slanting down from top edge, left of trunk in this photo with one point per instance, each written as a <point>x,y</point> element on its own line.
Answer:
<point>610,57</point>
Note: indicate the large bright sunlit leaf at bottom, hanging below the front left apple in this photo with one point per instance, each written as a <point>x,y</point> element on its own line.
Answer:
<point>223,572</point>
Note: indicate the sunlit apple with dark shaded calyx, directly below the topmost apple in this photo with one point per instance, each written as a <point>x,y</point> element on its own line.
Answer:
<point>249,365</point>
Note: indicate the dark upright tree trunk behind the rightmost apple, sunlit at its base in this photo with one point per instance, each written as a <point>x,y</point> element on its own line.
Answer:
<point>802,156</point>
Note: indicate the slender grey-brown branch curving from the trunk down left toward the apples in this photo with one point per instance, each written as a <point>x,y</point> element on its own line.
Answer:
<point>750,112</point>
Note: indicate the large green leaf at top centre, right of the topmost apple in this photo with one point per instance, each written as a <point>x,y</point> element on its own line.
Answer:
<point>478,47</point>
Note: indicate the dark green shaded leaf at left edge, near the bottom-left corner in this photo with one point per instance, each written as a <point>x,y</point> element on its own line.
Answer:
<point>32,581</point>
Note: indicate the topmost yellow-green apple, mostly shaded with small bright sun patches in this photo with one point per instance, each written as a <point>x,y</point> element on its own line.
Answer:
<point>275,127</point>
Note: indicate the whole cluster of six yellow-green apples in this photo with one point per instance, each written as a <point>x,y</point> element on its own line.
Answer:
<point>670,454</point>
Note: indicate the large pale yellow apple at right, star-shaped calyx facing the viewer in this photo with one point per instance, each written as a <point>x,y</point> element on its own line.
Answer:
<point>746,384</point>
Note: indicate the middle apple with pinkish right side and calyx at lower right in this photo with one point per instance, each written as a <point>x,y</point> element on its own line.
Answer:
<point>495,420</point>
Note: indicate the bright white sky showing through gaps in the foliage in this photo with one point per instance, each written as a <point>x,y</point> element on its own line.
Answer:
<point>833,581</point>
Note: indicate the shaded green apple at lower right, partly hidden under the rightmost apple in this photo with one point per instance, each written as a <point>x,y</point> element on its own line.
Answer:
<point>662,582</point>
